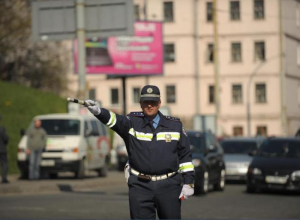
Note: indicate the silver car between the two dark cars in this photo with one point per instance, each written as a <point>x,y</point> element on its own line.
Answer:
<point>236,156</point>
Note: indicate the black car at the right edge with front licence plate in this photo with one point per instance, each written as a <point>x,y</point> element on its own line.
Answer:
<point>276,166</point>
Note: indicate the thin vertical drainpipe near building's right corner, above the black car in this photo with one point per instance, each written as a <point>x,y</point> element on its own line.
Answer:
<point>282,74</point>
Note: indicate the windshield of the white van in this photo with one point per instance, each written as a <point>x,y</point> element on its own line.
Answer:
<point>61,126</point>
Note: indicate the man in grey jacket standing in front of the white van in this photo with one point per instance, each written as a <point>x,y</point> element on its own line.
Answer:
<point>36,142</point>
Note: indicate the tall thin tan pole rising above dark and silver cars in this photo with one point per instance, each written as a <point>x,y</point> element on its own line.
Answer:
<point>216,67</point>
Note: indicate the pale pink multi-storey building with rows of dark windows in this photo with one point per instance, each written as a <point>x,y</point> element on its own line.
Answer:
<point>258,45</point>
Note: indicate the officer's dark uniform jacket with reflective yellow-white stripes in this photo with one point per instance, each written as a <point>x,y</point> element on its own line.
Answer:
<point>159,151</point>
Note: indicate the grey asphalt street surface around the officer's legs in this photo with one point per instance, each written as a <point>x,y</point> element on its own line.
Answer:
<point>110,201</point>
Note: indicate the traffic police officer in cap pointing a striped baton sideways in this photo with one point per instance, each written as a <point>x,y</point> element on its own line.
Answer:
<point>159,151</point>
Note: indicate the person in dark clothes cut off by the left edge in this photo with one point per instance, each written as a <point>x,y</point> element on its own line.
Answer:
<point>3,153</point>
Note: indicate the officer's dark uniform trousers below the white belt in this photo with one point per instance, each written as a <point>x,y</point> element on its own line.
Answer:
<point>145,197</point>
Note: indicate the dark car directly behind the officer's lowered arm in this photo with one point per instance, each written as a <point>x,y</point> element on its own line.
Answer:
<point>207,158</point>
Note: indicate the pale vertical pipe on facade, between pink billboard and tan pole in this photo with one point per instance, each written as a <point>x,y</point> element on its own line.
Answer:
<point>196,55</point>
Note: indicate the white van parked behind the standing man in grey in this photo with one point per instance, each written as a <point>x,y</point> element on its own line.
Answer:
<point>75,143</point>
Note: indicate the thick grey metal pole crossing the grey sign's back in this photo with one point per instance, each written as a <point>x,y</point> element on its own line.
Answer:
<point>81,48</point>
